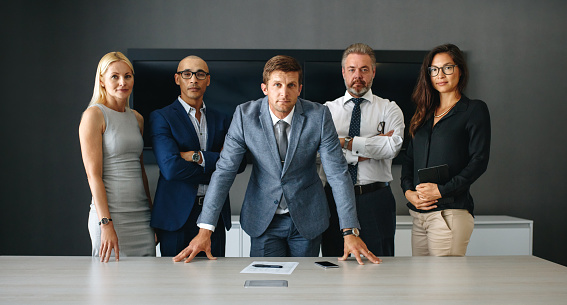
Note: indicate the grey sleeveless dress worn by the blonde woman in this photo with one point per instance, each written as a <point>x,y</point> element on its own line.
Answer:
<point>122,145</point>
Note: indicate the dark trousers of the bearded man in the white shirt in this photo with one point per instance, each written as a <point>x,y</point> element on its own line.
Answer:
<point>377,216</point>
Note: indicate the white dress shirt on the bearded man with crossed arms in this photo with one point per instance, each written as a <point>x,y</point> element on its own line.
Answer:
<point>380,149</point>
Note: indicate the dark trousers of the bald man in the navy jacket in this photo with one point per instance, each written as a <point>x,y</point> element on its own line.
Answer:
<point>172,242</point>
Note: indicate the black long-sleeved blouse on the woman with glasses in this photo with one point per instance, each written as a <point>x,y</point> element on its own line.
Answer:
<point>461,139</point>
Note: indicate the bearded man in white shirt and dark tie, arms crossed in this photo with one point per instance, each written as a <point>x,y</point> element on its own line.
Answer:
<point>371,132</point>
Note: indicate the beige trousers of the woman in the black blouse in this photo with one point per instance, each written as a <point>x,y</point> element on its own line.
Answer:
<point>441,233</point>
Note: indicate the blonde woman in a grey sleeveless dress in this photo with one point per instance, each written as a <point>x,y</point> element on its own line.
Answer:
<point>111,145</point>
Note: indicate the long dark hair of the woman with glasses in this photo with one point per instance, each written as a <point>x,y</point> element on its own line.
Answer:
<point>425,97</point>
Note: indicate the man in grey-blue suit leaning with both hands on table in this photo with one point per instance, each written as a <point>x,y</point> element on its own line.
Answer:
<point>285,210</point>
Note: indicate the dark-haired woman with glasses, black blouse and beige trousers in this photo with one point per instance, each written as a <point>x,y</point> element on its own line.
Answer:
<point>447,128</point>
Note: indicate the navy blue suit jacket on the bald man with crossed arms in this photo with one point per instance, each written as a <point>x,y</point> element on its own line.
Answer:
<point>172,132</point>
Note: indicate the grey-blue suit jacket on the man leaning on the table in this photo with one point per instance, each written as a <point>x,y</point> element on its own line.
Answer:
<point>251,133</point>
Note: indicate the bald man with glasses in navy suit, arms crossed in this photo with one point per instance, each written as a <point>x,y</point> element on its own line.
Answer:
<point>187,139</point>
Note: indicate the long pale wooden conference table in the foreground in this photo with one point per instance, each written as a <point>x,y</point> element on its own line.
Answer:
<point>399,280</point>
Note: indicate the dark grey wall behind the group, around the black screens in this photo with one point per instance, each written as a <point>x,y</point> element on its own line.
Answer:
<point>50,49</point>
